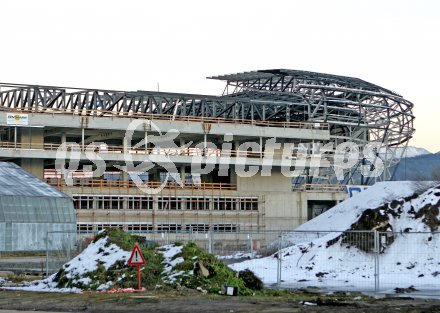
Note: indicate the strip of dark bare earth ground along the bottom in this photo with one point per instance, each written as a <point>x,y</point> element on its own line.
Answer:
<point>190,301</point>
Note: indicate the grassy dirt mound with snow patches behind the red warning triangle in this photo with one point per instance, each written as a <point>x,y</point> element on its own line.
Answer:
<point>103,266</point>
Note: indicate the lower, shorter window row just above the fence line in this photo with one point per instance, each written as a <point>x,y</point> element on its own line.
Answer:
<point>139,228</point>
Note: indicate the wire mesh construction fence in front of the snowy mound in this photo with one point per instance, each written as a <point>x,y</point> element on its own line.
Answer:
<point>374,261</point>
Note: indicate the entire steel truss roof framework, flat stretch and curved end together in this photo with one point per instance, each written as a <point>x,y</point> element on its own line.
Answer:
<point>356,110</point>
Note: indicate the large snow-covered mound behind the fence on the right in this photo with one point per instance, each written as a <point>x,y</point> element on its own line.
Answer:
<point>347,259</point>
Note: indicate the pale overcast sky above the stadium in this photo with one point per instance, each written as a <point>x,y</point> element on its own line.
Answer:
<point>137,44</point>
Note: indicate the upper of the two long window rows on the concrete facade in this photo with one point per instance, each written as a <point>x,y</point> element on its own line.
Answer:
<point>83,202</point>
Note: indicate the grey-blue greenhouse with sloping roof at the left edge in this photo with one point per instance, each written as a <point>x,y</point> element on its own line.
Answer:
<point>33,214</point>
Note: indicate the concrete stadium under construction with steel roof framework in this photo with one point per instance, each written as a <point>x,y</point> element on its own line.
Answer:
<point>64,135</point>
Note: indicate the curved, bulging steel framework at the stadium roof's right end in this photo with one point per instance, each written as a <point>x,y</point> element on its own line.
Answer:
<point>355,109</point>
